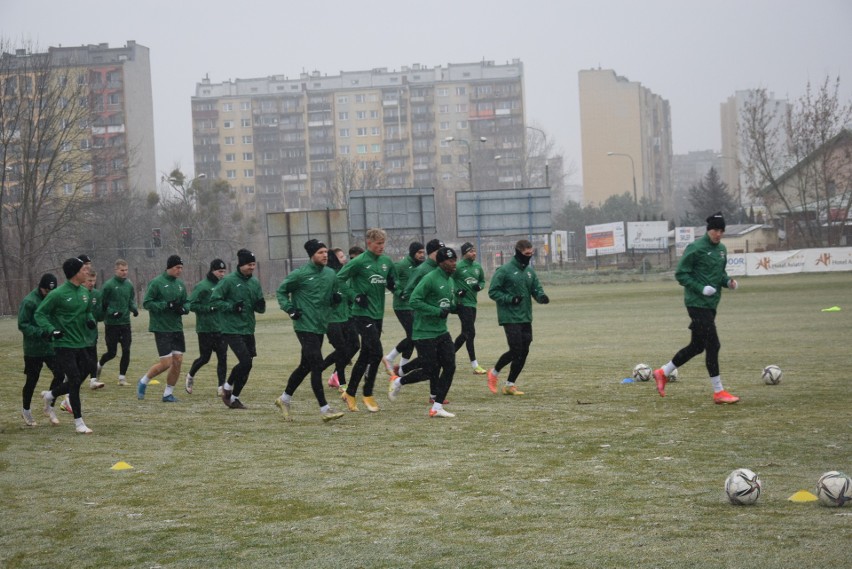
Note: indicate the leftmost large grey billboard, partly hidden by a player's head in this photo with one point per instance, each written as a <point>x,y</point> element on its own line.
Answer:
<point>287,231</point>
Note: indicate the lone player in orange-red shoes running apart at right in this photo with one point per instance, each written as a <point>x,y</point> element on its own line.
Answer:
<point>701,272</point>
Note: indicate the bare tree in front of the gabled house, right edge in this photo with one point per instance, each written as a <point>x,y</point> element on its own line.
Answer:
<point>795,163</point>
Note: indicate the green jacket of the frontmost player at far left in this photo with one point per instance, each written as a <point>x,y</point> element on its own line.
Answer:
<point>68,307</point>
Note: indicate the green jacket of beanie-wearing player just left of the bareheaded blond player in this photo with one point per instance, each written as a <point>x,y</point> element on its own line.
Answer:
<point>309,289</point>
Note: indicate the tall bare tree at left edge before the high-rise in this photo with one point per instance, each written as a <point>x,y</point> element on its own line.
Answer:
<point>47,172</point>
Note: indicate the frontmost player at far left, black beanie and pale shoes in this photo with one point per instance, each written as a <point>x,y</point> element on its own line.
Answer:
<point>66,314</point>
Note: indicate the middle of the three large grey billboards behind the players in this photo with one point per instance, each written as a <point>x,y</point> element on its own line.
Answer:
<point>409,210</point>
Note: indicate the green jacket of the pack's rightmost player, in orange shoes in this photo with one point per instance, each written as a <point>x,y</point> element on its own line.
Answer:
<point>511,280</point>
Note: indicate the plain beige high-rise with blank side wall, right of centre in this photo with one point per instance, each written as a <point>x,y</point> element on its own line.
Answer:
<point>626,137</point>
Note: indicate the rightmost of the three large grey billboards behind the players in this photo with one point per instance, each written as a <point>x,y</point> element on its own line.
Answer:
<point>521,211</point>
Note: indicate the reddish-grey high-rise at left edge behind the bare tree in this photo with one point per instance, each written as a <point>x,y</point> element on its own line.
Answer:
<point>111,143</point>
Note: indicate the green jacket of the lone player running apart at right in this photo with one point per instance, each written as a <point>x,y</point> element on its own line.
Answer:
<point>702,264</point>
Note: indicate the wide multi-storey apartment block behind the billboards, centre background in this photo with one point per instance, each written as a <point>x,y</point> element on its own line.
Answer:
<point>279,141</point>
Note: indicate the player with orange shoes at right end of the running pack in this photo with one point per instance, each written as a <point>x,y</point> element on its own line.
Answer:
<point>512,287</point>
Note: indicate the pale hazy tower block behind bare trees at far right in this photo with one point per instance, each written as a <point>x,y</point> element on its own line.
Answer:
<point>733,158</point>
